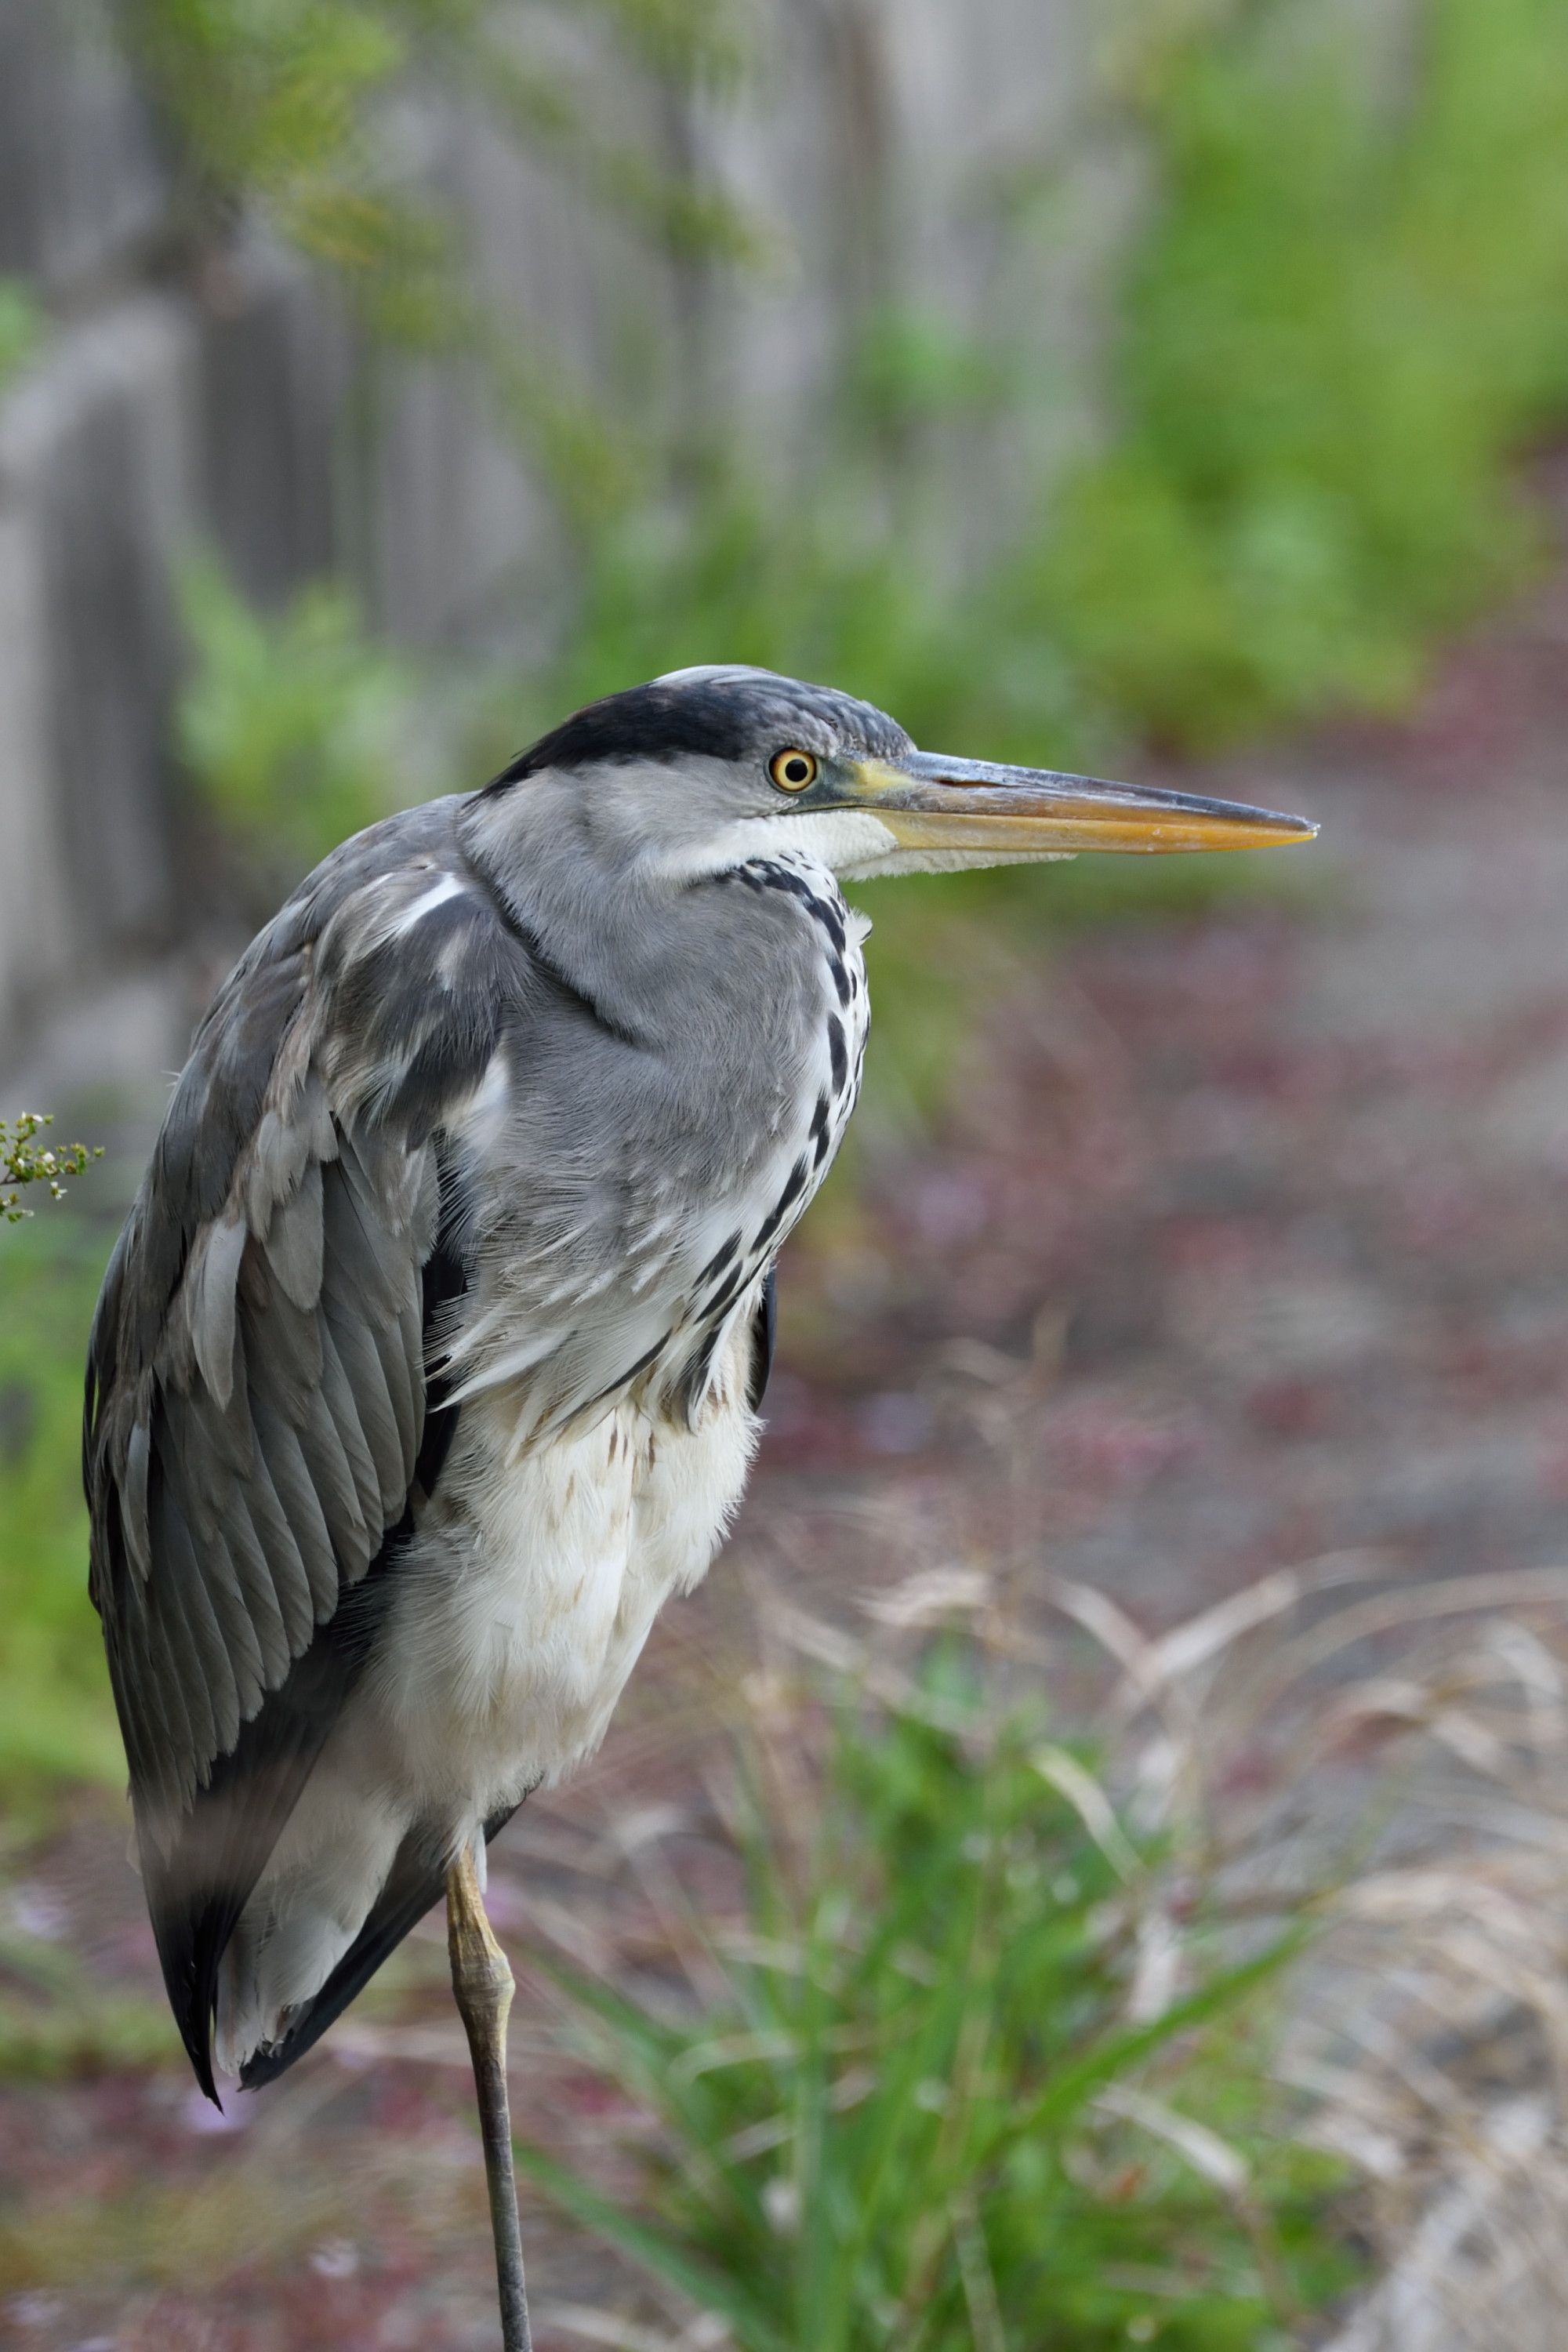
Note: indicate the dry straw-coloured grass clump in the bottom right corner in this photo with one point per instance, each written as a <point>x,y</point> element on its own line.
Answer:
<point>1398,1763</point>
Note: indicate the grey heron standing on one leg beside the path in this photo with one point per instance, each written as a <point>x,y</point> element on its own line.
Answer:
<point>431,1354</point>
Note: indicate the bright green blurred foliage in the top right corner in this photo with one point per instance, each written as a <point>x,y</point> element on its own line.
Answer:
<point>1346,321</point>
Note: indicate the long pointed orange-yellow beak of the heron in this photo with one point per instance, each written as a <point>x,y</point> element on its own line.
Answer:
<point>970,806</point>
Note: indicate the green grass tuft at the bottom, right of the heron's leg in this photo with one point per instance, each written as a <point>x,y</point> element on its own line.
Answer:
<point>916,2106</point>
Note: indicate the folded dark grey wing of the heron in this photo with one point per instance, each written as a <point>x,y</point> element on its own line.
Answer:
<point>260,1419</point>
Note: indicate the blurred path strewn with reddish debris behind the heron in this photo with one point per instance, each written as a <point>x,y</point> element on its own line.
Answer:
<point>1275,1208</point>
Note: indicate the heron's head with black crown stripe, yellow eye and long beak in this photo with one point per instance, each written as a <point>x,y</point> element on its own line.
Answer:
<point>704,770</point>
